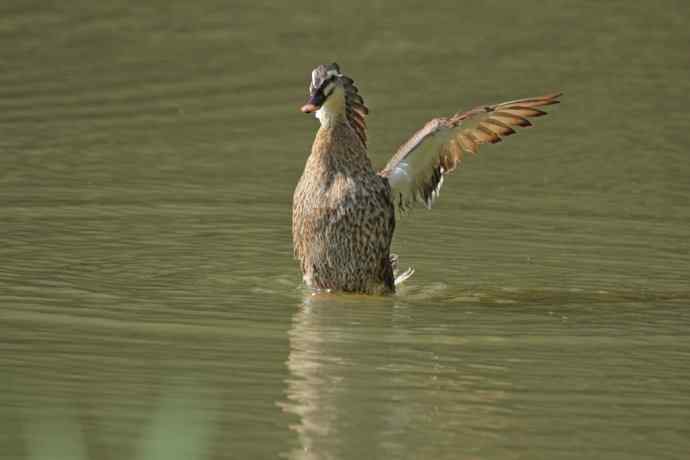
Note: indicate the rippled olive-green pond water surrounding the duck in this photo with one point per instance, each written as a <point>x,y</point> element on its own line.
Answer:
<point>149,304</point>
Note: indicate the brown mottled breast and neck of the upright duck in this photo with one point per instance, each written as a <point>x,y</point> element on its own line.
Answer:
<point>342,216</point>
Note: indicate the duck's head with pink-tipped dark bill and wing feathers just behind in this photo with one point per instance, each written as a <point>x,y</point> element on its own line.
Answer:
<point>333,95</point>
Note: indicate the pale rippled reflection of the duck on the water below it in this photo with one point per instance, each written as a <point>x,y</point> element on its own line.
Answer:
<point>367,370</point>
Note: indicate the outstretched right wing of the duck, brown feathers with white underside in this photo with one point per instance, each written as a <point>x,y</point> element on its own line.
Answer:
<point>417,169</point>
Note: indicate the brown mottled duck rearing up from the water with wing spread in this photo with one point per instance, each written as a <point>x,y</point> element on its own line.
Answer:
<point>344,211</point>
